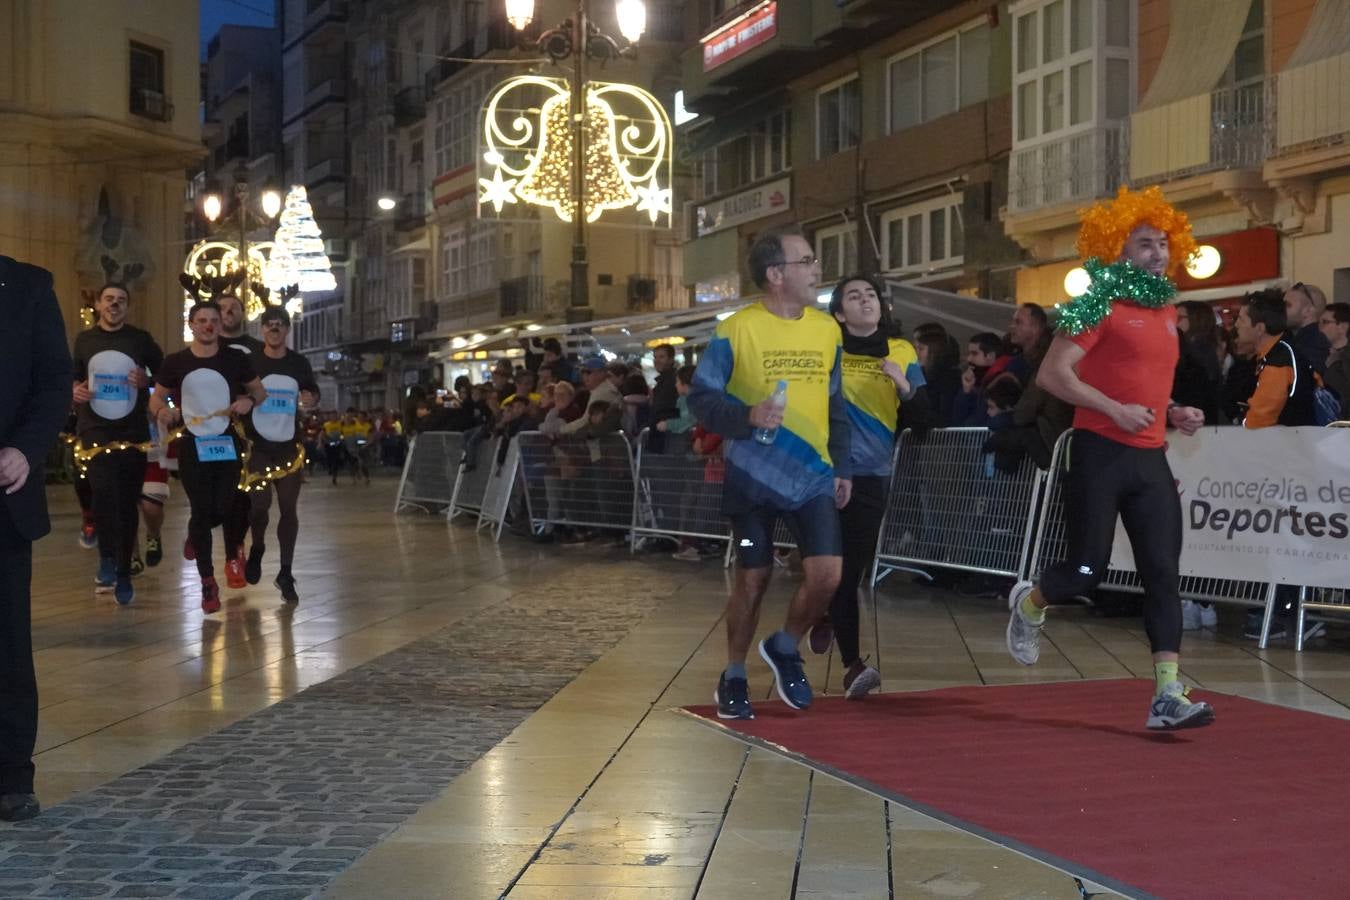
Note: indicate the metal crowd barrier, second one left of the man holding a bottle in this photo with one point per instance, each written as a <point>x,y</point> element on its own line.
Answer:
<point>577,484</point>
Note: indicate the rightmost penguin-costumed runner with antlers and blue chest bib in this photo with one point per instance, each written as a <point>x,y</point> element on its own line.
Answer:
<point>291,388</point>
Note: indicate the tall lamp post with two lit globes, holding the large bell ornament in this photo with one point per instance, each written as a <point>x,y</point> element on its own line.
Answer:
<point>580,40</point>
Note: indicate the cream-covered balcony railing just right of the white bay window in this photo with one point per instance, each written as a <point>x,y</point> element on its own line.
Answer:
<point>1167,145</point>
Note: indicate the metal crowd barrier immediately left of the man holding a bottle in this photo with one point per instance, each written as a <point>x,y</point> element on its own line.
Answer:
<point>680,493</point>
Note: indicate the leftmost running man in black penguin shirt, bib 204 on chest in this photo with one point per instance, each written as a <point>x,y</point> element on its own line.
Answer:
<point>110,392</point>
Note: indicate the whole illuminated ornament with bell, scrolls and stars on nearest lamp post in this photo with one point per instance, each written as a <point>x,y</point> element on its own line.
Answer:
<point>527,152</point>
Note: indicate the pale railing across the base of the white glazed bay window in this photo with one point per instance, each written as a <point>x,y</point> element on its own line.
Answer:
<point>1074,169</point>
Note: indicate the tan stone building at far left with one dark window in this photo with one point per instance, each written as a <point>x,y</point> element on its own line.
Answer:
<point>95,148</point>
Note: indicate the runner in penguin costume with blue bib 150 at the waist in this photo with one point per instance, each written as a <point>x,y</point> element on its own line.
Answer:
<point>207,384</point>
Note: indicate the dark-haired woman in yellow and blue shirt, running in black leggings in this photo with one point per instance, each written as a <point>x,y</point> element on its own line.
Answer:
<point>881,373</point>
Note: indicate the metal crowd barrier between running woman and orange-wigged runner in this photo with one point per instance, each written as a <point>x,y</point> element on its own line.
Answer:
<point>950,508</point>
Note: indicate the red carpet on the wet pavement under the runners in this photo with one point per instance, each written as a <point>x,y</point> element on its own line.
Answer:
<point>1252,806</point>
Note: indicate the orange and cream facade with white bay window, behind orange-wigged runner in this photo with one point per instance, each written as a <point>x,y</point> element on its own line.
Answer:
<point>1233,107</point>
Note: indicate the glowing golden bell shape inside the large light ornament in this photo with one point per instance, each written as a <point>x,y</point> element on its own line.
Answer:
<point>549,183</point>
